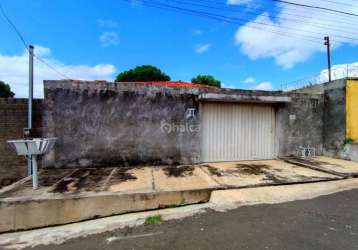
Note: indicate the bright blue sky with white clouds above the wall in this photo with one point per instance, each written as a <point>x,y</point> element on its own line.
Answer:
<point>98,39</point>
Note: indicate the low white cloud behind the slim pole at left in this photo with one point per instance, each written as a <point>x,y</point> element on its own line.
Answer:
<point>14,70</point>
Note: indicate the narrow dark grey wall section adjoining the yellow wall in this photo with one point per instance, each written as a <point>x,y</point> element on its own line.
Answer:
<point>334,119</point>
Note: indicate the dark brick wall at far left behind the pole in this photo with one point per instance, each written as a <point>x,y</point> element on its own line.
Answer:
<point>13,118</point>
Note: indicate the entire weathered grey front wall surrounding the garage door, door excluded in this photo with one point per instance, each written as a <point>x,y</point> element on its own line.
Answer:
<point>104,124</point>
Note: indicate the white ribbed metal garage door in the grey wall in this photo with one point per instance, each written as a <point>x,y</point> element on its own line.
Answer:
<point>237,132</point>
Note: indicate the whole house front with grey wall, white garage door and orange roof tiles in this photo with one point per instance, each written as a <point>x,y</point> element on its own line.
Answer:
<point>105,123</point>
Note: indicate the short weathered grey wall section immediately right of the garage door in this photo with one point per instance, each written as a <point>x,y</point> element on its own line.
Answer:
<point>300,123</point>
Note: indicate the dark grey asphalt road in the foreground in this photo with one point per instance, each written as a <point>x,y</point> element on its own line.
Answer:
<point>328,222</point>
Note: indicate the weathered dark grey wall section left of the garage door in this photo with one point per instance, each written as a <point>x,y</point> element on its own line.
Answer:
<point>120,124</point>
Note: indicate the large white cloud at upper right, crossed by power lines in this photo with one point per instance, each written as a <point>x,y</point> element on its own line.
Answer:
<point>288,49</point>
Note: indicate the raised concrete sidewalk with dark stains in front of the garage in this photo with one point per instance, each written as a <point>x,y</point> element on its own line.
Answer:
<point>67,195</point>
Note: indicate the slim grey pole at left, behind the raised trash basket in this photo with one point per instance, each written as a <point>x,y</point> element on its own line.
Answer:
<point>28,131</point>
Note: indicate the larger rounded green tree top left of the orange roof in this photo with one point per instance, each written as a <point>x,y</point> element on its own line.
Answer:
<point>144,73</point>
